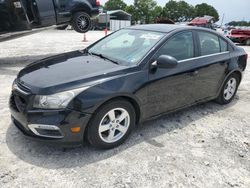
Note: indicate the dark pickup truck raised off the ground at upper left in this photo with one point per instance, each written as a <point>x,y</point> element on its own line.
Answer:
<point>16,15</point>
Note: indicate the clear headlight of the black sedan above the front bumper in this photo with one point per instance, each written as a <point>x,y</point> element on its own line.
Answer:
<point>57,100</point>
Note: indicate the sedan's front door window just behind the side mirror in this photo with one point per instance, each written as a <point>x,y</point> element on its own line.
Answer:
<point>180,46</point>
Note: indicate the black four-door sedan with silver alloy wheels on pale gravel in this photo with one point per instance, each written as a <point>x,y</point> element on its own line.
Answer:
<point>101,93</point>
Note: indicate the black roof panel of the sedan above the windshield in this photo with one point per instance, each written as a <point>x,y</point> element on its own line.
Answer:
<point>164,28</point>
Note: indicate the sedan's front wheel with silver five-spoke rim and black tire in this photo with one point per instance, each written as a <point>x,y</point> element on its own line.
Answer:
<point>111,124</point>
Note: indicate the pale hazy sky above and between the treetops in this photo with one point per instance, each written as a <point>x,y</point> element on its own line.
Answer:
<point>233,9</point>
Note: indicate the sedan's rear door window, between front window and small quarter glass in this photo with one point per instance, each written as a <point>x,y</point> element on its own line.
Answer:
<point>209,43</point>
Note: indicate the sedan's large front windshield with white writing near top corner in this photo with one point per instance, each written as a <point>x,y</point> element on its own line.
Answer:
<point>126,46</point>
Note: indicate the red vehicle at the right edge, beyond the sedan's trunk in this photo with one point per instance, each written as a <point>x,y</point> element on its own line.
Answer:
<point>241,36</point>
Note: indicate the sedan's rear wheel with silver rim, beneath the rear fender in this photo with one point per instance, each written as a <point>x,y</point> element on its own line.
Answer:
<point>229,89</point>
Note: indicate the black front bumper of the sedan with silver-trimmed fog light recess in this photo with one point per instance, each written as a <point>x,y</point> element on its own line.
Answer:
<point>50,126</point>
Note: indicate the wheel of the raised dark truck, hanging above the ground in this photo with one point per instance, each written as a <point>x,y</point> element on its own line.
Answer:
<point>81,22</point>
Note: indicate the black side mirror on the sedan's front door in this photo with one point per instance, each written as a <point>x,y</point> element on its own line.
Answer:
<point>165,62</point>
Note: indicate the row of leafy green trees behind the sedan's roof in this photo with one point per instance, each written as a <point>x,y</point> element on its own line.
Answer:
<point>147,11</point>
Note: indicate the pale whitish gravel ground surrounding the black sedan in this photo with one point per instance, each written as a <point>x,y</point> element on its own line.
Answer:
<point>203,146</point>
